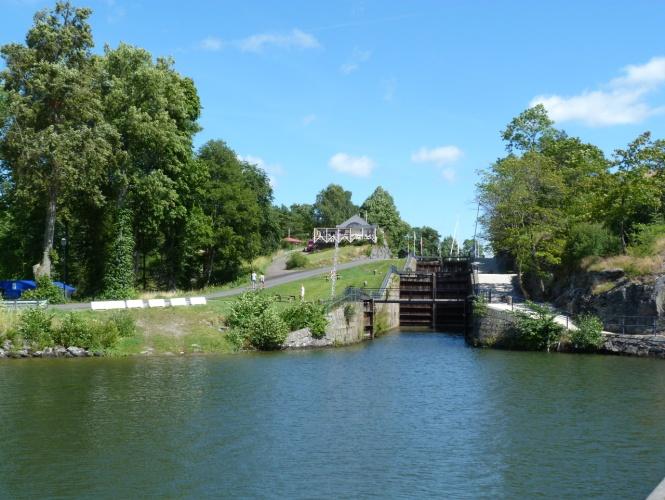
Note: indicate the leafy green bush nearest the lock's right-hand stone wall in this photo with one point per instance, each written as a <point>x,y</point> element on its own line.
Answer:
<point>537,329</point>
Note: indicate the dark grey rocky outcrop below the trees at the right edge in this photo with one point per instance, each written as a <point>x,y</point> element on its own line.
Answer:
<point>610,294</point>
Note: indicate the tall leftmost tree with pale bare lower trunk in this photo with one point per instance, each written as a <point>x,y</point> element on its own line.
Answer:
<point>57,143</point>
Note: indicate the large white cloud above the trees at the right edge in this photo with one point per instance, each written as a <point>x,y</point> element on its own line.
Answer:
<point>620,101</point>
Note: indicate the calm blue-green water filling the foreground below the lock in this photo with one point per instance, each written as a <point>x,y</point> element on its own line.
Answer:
<point>409,415</point>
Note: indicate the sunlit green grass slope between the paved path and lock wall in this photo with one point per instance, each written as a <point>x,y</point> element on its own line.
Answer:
<point>317,288</point>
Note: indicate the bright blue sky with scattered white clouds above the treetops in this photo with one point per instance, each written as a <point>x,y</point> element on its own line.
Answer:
<point>410,96</point>
